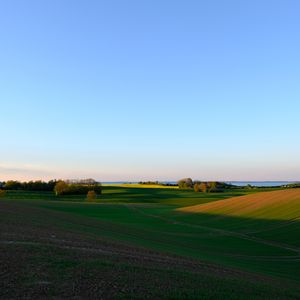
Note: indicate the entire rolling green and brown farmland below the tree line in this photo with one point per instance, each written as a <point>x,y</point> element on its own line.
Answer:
<point>136,243</point>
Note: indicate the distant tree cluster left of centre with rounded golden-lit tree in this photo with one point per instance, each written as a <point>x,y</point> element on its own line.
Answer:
<point>63,188</point>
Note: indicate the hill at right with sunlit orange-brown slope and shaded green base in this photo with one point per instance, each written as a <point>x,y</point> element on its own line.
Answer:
<point>272,216</point>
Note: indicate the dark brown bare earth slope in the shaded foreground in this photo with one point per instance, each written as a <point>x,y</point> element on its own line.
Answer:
<point>40,260</point>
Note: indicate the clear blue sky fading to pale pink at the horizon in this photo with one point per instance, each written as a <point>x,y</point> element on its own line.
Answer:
<point>150,89</point>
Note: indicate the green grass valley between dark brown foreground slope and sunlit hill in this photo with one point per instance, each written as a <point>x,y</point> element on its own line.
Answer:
<point>147,217</point>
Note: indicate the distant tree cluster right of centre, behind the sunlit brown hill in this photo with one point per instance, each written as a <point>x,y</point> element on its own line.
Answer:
<point>203,186</point>
